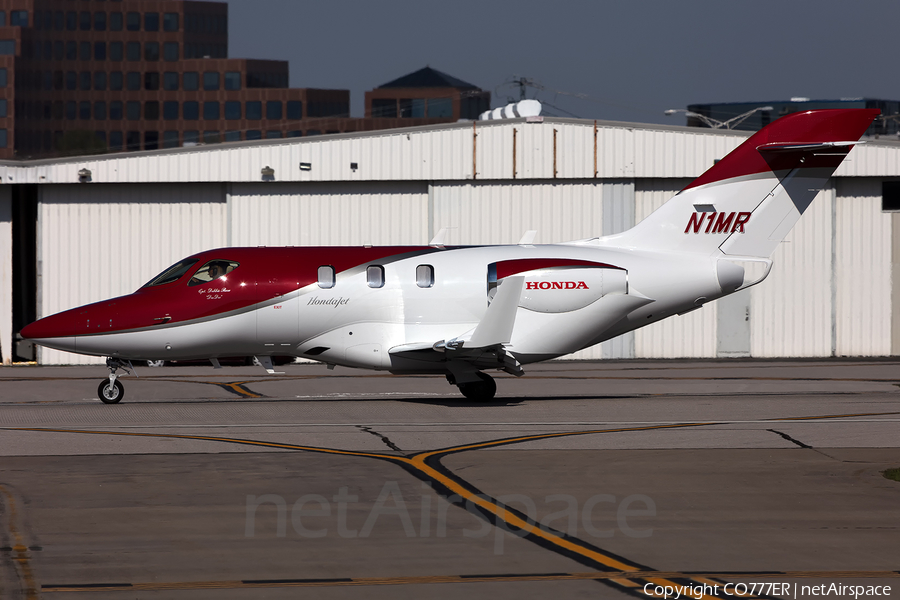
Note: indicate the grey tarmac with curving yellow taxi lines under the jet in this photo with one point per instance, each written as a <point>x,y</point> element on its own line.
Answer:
<point>581,480</point>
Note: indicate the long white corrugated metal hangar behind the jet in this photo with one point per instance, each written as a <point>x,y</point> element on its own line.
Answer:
<point>79,230</point>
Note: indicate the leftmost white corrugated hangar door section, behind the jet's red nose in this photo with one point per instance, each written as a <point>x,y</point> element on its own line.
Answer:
<point>102,241</point>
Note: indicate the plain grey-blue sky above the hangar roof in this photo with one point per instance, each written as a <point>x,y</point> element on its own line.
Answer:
<point>630,59</point>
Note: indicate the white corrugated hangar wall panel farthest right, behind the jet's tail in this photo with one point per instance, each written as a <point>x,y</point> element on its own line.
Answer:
<point>862,270</point>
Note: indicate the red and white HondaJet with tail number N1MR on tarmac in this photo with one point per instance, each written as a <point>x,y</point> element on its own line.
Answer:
<point>459,311</point>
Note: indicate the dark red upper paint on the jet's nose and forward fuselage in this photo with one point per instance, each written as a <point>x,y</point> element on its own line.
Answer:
<point>263,274</point>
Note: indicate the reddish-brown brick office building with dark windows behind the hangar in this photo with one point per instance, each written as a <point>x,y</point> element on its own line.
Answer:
<point>86,76</point>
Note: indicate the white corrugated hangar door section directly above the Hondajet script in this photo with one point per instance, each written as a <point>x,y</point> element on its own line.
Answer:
<point>329,214</point>
